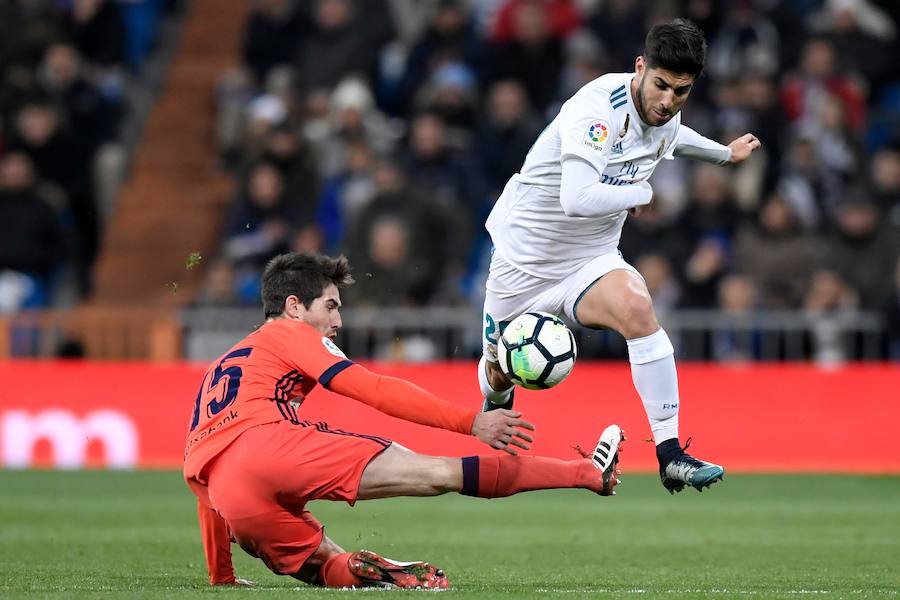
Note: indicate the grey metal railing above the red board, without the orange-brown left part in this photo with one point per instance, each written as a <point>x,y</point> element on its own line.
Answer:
<point>421,334</point>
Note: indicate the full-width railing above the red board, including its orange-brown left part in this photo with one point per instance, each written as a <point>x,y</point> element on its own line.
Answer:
<point>434,333</point>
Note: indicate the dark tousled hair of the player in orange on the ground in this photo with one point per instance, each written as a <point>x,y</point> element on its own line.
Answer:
<point>303,275</point>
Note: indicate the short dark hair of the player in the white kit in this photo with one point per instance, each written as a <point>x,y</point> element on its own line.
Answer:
<point>678,46</point>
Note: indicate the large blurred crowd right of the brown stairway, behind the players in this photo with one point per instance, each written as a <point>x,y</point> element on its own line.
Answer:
<point>385,129</point>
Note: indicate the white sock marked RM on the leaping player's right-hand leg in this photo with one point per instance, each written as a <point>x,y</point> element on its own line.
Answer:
<point>655,379</point>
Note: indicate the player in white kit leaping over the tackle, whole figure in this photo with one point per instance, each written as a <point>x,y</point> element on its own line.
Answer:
<point>556,227</point>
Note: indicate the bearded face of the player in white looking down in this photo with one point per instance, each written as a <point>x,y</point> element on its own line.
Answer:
<point>659,94</point>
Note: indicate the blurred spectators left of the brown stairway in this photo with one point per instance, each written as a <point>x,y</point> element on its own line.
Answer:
<point>66,71</point>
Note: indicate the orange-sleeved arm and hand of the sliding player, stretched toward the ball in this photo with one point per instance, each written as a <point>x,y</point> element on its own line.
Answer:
<point>399,398</point>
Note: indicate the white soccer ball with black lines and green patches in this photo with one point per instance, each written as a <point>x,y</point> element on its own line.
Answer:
<point>536,350</point>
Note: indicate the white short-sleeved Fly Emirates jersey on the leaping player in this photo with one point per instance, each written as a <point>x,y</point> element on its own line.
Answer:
<point>598,124</point>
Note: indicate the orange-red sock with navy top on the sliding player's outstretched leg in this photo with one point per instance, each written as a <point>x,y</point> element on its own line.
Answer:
<point>501,476</point>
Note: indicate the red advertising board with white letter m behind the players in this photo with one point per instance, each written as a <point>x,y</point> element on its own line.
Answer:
<point>749,418</point>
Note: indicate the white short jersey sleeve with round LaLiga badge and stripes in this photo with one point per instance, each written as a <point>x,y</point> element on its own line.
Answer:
<point>587,131</point>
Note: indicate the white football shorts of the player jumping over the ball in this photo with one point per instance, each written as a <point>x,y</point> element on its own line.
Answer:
<point>510,292</point>
